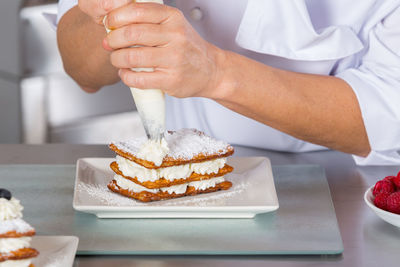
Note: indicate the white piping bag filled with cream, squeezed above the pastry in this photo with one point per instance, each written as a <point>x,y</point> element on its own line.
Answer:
<point>150,103</point>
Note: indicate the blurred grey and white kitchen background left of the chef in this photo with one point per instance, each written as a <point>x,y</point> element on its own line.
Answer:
<point>39,103</point>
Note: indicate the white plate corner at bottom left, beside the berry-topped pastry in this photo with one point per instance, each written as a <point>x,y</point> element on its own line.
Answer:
<point>55,251</point>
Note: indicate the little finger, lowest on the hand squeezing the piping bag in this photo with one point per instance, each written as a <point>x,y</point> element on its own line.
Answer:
<point>143,80</point>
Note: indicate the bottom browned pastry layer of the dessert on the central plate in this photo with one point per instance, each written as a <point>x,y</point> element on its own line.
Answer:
<point>145,196</point>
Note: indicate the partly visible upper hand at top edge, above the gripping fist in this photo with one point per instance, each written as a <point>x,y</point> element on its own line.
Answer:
<point>97,9</point>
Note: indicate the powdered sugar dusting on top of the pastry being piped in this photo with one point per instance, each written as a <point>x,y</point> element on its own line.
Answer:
<point>183,144</point>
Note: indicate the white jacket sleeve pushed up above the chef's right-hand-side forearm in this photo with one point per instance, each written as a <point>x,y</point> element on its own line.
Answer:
<point>376,83</point>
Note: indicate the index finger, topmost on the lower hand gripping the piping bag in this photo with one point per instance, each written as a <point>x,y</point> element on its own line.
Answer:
<point>139,13</point>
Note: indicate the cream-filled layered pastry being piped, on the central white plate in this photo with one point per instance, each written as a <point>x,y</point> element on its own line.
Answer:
<point>185,162</point>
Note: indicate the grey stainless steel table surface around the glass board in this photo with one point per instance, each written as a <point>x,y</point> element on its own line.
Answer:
<point>368,241</point>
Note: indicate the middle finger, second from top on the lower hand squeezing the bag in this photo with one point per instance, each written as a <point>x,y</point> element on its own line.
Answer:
<point>137,34</point>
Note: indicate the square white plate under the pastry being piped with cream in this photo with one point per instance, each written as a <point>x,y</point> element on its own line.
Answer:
<point>253,192</point>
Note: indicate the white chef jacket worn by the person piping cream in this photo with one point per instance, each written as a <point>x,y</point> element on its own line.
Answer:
<point>357,41</point>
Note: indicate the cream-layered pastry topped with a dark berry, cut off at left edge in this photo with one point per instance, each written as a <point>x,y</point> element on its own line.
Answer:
<point>15,233</point>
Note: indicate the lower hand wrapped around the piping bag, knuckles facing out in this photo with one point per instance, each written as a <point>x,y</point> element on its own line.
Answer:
<point>184,64</point>
